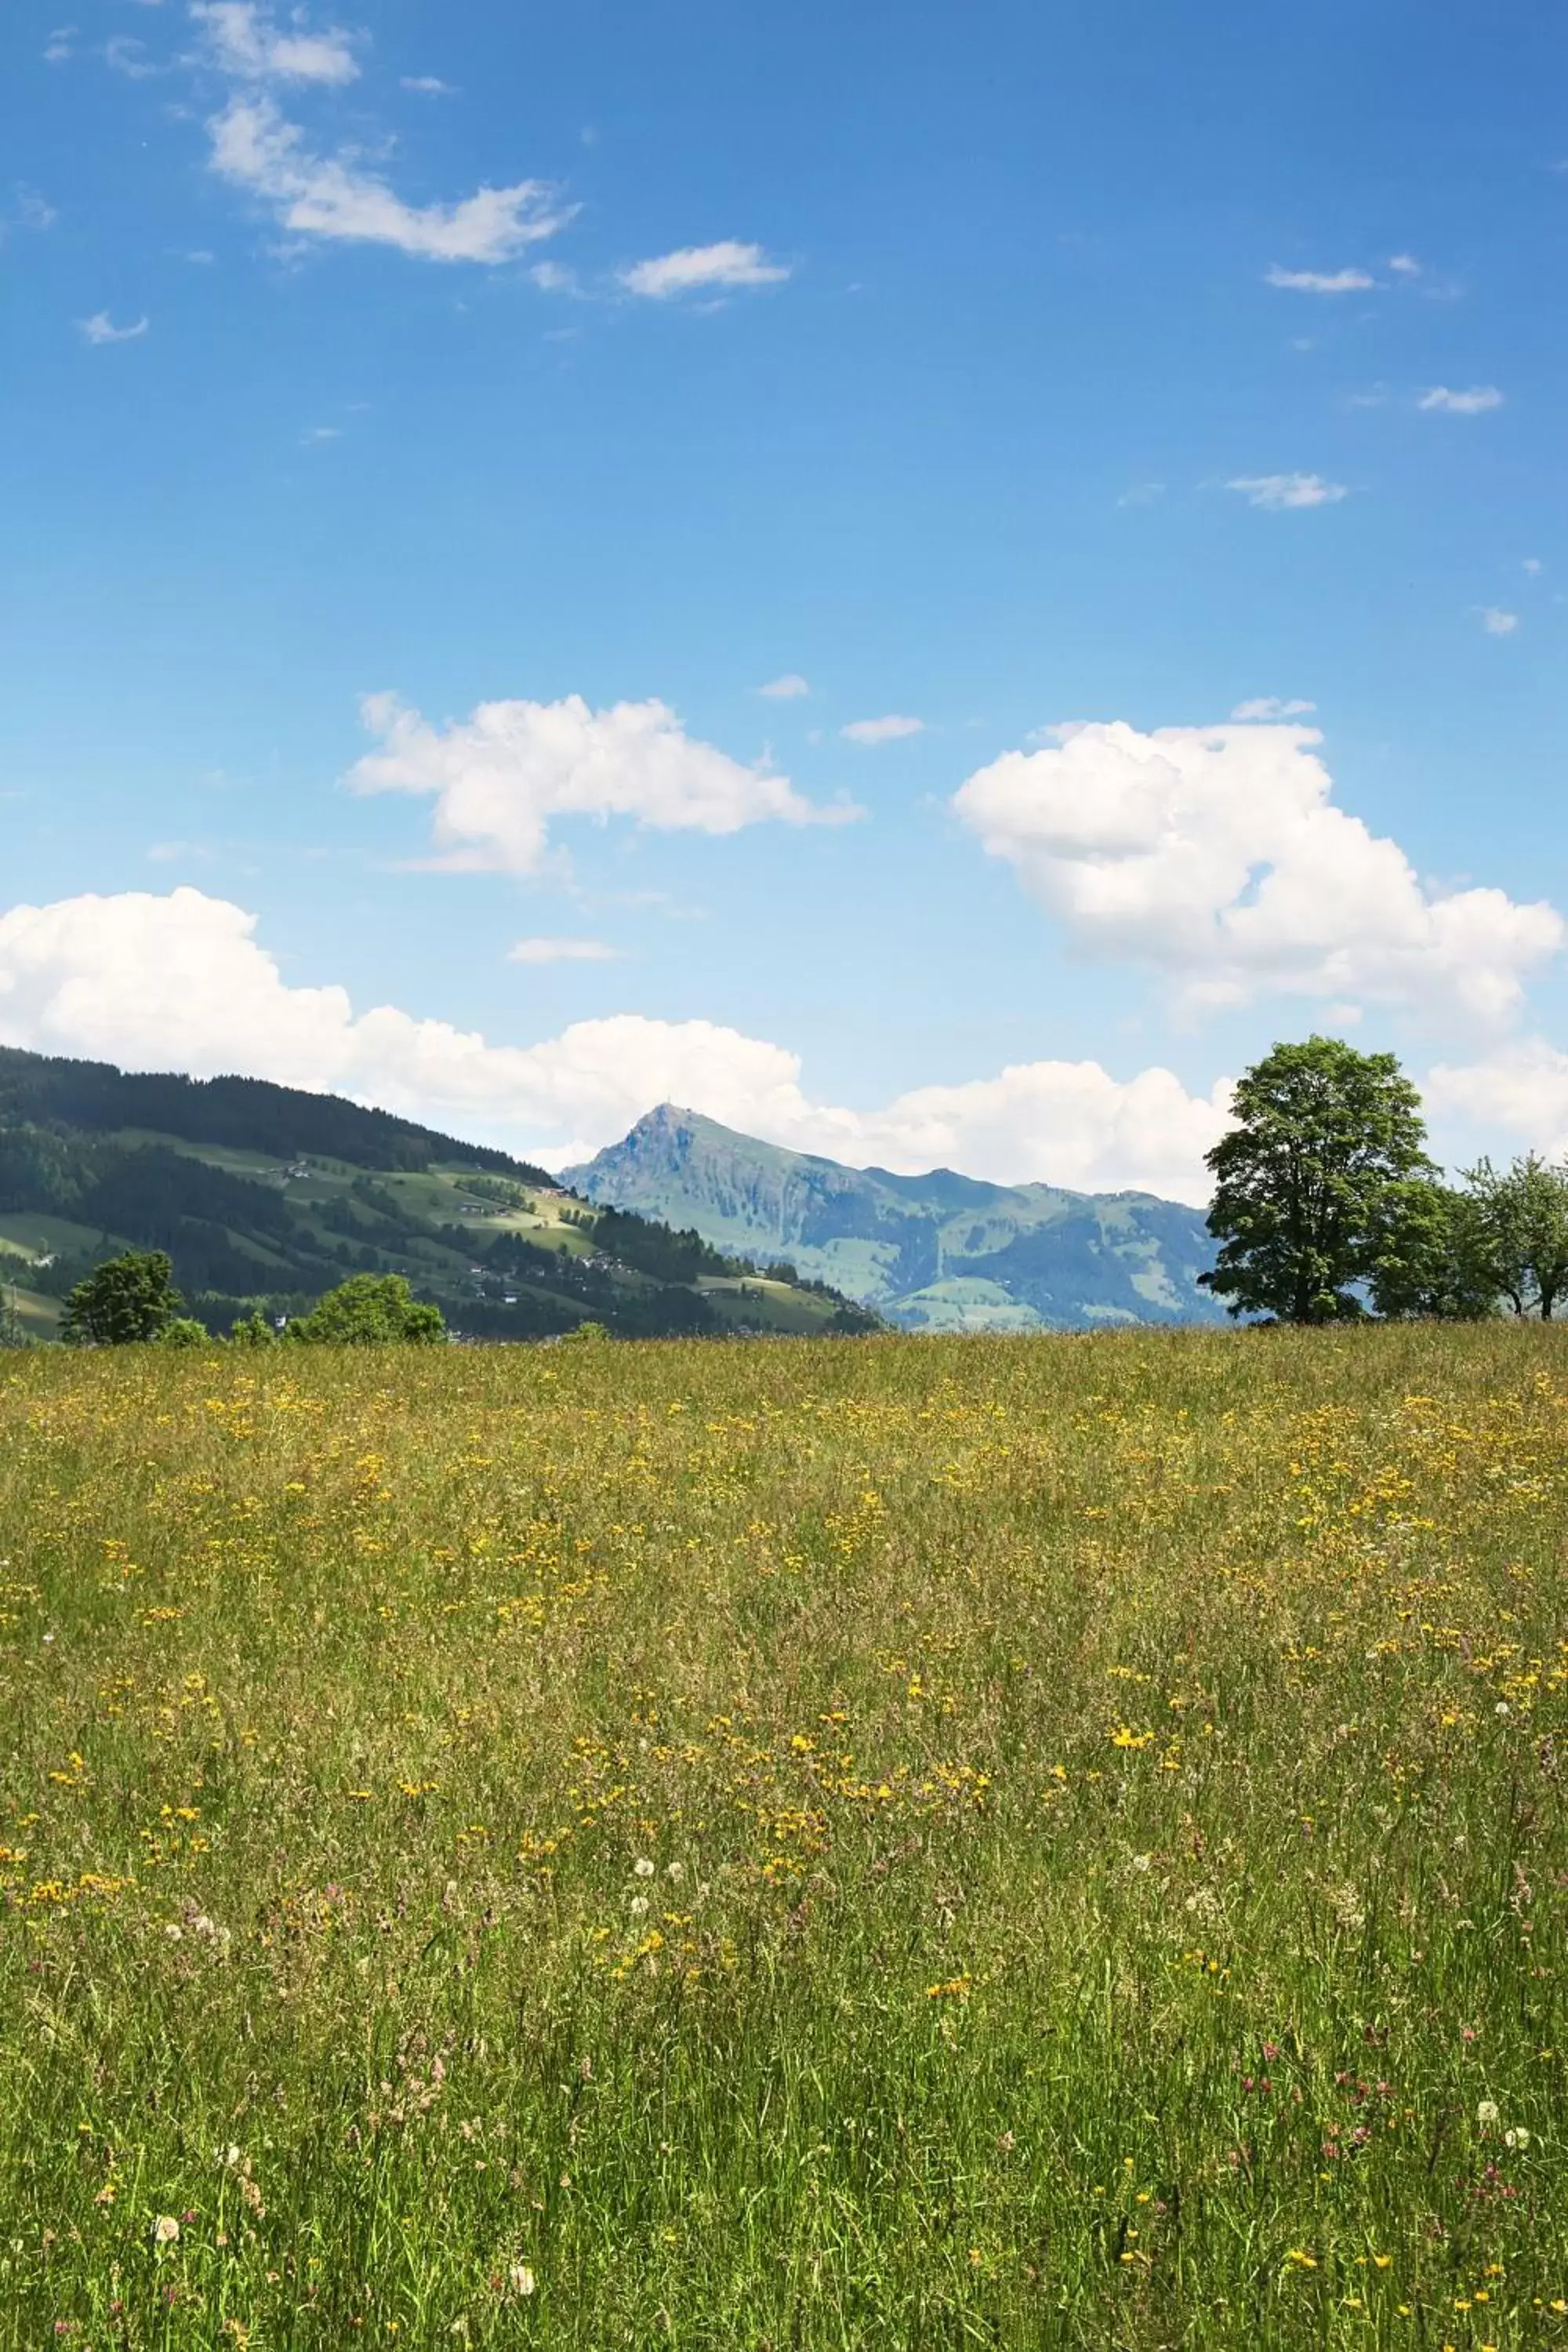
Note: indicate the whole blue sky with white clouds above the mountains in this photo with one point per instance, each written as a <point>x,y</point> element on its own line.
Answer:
<point>1000,370</point>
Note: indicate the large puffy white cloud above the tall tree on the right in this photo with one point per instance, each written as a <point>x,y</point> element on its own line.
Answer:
<point>1219,857</point>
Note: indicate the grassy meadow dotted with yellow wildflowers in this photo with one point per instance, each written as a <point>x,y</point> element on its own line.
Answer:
<point>894,1843</point>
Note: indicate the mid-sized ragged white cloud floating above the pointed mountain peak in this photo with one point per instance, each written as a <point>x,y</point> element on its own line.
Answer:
<point>507,773</point>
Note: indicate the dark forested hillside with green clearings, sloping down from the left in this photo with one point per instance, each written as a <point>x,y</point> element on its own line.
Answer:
<point>267,1196</point>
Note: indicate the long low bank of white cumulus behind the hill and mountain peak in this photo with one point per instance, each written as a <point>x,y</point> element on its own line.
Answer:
<point>182,984</point>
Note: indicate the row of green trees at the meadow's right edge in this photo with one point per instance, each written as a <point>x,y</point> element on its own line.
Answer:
<point>1327,1205</point>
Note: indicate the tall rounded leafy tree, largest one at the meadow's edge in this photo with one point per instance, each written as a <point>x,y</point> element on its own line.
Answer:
<point>1308,1180</point>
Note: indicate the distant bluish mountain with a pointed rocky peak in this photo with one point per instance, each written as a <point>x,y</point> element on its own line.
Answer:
<point>932,1252</point>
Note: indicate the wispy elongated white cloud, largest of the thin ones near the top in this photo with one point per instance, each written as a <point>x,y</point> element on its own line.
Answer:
<point>337,196</point>
